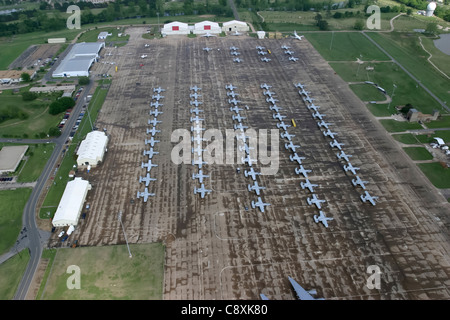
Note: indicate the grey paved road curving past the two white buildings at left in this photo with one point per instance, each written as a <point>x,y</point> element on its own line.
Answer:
<point>36,237</point>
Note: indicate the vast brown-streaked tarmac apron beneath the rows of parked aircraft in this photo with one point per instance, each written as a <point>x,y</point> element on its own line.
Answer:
<point>220,247</point>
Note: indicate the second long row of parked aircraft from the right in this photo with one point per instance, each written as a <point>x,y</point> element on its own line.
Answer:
<point>313,200</point>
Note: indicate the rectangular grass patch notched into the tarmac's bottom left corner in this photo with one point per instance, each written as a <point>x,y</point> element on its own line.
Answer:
<point>107,273</point>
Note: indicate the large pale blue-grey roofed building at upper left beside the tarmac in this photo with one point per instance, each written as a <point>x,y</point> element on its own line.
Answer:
<point>79,60</point>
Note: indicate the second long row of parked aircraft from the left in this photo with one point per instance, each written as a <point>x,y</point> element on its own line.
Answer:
<point>197,150</point>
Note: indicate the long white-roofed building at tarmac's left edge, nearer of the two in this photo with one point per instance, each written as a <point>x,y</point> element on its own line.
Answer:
<point>71,204</point>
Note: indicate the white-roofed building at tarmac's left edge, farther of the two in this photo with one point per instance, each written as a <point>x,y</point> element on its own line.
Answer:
<point>92,149</point>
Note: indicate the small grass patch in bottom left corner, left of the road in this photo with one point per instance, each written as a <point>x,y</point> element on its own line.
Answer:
<point>11,272</point>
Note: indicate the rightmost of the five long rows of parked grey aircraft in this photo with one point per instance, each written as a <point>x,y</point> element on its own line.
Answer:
<point>348,167</point>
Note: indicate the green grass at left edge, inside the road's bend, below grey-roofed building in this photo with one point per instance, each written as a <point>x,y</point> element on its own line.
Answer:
<point>12,203</point>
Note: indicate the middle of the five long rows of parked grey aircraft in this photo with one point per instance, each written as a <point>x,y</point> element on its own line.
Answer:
<point>244,147</point>
